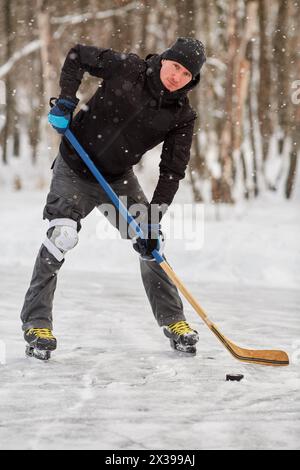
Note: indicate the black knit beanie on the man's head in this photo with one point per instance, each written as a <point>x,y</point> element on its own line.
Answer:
<point>188,52</point>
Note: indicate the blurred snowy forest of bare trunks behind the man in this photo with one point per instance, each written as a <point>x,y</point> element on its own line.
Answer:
<point>248,130</point>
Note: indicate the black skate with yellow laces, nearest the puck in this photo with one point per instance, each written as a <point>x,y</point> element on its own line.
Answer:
<point>182,337</point>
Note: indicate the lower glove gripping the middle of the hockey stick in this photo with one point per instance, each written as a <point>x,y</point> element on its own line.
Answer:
<point>154,240</point>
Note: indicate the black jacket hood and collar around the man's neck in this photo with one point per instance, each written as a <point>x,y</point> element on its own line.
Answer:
<point>157,88</point>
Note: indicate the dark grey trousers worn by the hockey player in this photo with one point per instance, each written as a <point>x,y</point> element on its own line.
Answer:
<point>72,197</point>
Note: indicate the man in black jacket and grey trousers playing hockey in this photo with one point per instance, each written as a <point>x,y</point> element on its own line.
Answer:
<point>139,104</point>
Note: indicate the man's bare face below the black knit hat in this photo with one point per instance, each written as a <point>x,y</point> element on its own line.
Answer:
<point>173,75</point>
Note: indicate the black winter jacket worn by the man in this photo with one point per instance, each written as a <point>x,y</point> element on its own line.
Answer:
<point>130,113</point>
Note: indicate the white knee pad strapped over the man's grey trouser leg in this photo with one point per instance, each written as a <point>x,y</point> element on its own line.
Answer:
<point>63,238</point>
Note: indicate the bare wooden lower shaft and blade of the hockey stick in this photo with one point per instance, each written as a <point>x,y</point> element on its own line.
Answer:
<point>266,358</point>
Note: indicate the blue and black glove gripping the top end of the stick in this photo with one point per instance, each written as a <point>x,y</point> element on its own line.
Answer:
<point>60,115</point>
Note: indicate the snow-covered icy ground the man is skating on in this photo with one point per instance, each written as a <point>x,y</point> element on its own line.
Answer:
<point>114,383</point>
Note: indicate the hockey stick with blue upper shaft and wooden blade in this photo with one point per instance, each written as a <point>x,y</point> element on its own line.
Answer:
<point>267,358</point>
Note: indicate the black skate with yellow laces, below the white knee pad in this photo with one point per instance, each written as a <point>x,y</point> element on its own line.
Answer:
<point>40,343</point>
